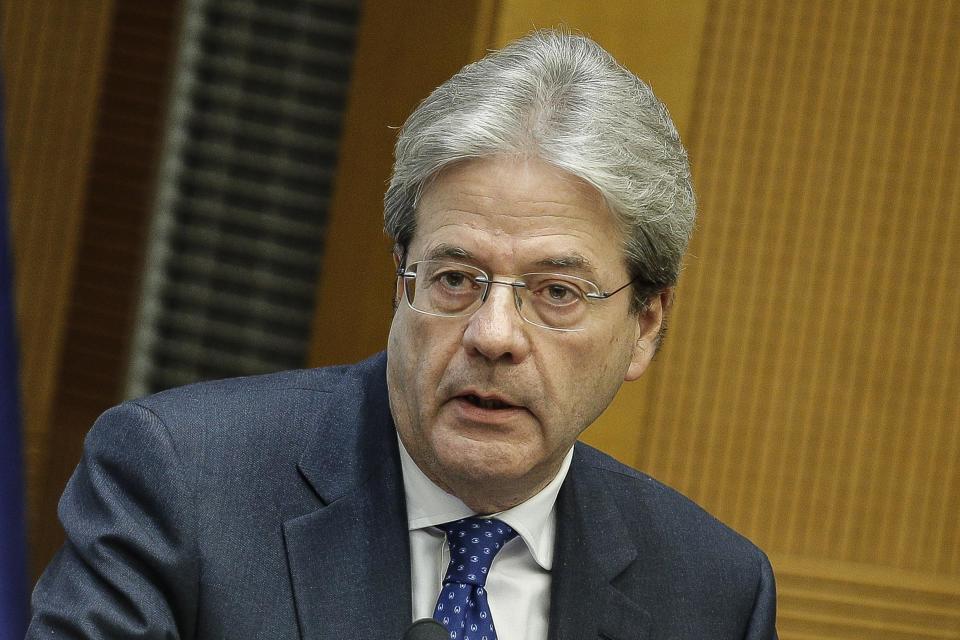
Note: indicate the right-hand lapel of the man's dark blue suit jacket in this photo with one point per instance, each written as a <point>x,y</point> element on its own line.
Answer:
<point>593,548</point>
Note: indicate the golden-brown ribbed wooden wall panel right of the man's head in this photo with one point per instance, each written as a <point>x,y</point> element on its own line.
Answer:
<point>805,392</point>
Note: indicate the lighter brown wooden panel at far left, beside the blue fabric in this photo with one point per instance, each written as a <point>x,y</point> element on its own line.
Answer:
<point>52,57</point>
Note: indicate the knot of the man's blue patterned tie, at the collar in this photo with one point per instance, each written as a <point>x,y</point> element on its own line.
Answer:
<point>473,544</point>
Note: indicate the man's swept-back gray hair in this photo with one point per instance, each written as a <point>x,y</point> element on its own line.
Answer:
<point>564,99</point>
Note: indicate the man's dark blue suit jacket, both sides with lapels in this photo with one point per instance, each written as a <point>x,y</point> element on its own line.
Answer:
<point>273,507</point>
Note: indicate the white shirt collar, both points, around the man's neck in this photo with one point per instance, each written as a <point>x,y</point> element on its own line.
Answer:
<point>534,520</point>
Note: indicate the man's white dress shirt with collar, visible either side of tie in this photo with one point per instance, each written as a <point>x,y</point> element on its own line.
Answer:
<point>518,585</point>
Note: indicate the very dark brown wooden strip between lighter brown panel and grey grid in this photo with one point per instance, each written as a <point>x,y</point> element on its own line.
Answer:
<point>110,253</point>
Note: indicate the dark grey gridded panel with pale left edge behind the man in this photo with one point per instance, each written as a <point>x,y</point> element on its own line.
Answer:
<point>242,197</point>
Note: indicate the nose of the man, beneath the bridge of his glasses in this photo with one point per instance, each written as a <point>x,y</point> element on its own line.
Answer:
<point>496,330</point>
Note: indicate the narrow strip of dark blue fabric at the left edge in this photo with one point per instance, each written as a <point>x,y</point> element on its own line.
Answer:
<point>13,571</point>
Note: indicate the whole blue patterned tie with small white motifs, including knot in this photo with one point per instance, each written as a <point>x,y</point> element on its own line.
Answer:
<point>462,606</point>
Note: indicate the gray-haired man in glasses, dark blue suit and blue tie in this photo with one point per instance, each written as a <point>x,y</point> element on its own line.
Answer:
<point>540,204</point>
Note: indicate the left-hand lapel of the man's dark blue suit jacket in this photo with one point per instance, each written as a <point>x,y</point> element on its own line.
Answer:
<point>350,560</point>
